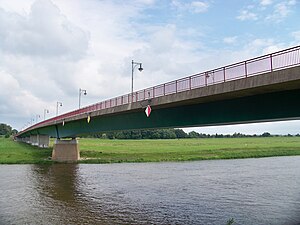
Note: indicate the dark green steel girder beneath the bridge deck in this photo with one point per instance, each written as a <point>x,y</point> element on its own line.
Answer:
<point>274,106</point>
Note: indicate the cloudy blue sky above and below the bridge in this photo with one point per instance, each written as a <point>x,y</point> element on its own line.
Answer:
<point>51,48</point>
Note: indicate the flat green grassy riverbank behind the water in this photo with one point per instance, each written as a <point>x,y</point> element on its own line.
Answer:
<point>111,151</point>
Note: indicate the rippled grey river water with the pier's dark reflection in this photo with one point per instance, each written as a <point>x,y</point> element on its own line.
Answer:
<point>252,191</point>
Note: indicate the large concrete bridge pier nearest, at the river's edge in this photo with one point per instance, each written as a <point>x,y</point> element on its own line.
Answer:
<point>65,150</point>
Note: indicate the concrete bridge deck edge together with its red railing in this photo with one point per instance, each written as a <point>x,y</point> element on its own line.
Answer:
<point>266,74</point>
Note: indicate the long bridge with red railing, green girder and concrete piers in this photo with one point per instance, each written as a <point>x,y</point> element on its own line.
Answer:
<point>265,88</point>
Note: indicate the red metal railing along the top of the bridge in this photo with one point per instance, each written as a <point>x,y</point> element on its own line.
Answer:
<point>267,63</point>
